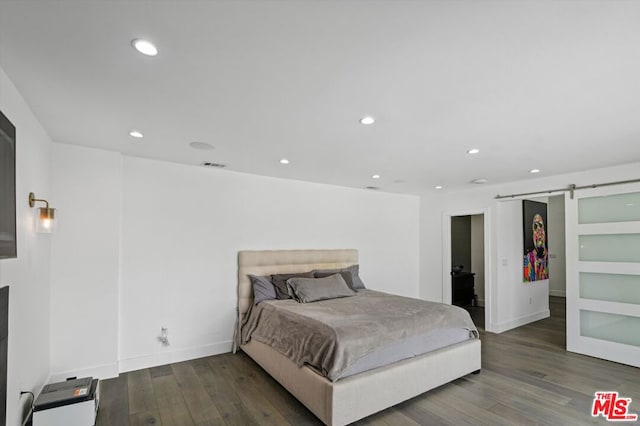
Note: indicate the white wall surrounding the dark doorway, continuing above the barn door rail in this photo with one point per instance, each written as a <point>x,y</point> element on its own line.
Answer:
<point>505,237</point>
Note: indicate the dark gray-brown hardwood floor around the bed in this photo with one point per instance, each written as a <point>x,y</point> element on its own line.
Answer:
<point>527,378</point>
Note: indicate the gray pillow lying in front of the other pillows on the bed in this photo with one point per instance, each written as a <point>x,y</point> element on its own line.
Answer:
<point>305,290</point>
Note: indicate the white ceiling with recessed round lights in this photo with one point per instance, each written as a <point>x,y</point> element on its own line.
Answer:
<point>553,85</point>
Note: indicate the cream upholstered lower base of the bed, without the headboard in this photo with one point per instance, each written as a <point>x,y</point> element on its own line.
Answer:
<point>358,396</point>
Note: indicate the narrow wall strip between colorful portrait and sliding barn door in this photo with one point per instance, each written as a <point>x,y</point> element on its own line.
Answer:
<point>557,256</point>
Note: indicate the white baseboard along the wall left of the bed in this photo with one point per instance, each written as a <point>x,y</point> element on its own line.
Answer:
<point>171,356</point>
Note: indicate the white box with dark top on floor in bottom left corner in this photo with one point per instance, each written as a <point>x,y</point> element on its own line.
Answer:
<point>71,403</point>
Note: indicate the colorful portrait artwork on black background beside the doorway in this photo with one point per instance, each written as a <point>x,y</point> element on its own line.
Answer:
<point>536,252</point>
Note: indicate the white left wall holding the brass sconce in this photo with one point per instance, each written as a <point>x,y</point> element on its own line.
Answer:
<point>28,275</point>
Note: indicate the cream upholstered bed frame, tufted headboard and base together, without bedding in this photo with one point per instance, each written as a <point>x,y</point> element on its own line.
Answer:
<point>355,397</point>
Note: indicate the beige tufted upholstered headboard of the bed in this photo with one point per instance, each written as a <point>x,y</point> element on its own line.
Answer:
<point>267,262</point>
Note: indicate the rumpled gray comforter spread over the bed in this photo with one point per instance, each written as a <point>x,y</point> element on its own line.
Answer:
<point>331,335</point>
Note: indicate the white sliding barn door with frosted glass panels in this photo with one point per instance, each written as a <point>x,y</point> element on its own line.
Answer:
<point>603,273</point>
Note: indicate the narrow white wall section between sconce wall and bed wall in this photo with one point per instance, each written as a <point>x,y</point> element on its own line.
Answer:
<point>85,262</point>
